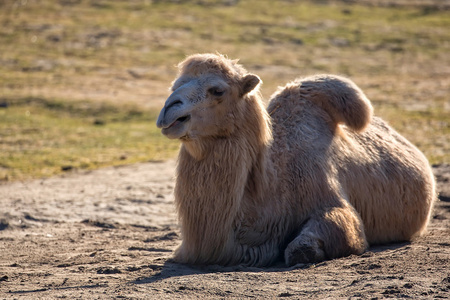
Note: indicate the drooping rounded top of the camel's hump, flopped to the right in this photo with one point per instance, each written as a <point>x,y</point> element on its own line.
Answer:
<point>341,98</point>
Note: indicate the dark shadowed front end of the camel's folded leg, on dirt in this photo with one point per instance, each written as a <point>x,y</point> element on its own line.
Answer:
<point>299,252</point>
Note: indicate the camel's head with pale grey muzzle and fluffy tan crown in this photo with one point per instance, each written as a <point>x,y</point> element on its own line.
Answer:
<point>207,98</point>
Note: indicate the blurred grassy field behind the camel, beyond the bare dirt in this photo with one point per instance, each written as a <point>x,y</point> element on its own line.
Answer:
<point>82,81</point>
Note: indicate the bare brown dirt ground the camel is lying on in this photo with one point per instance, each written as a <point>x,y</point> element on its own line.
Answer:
<point>110,233</point>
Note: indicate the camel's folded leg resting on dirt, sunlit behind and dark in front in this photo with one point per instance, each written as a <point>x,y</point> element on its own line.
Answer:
<point>335,232</point>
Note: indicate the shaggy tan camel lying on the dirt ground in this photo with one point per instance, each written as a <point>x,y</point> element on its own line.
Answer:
<point>315,176</point>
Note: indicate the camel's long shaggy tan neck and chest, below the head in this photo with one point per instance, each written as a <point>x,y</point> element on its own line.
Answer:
<point>210,188</point>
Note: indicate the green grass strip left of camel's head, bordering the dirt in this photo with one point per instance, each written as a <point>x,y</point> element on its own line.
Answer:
<point>44,137</point>
